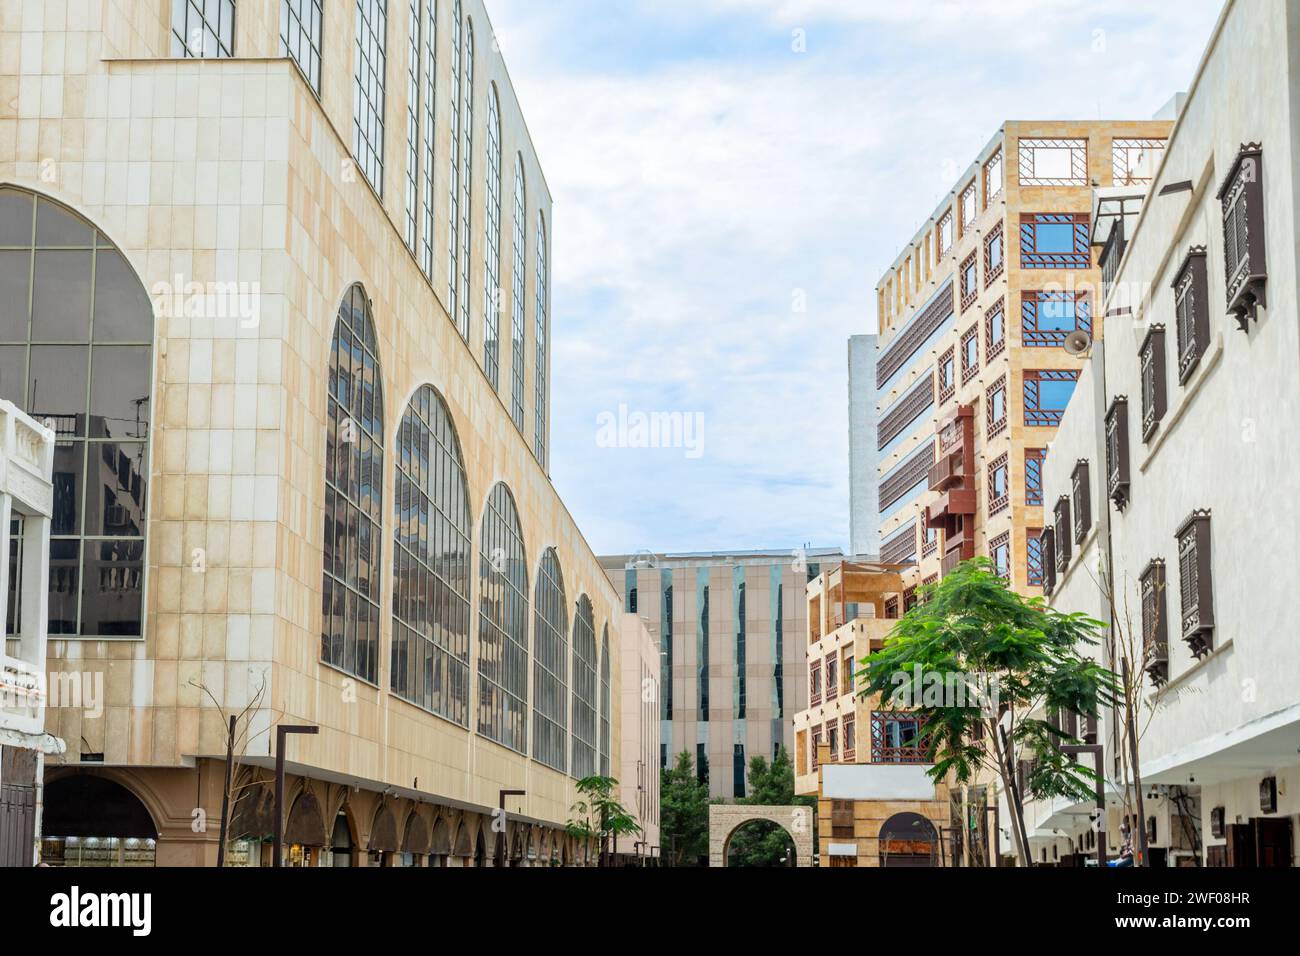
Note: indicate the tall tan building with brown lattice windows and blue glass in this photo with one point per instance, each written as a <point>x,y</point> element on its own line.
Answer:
<point>972,366</point>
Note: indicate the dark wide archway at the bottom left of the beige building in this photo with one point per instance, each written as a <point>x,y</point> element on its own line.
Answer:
<point>94,821</point>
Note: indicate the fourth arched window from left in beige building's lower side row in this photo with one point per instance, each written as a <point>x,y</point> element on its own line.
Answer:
<point>551,665</point>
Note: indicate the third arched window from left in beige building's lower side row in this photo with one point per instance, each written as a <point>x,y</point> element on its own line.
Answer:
<point>502,625</point>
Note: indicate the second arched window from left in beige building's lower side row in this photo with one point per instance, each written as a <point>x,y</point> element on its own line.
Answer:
<point>431,564</point>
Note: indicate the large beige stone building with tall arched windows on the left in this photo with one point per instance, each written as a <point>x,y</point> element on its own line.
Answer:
<point>279,279</point>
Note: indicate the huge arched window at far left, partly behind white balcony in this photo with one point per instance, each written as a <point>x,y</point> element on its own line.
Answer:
<point>77,353</point>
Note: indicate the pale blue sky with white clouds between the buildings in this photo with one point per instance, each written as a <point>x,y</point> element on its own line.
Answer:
<point>730,181</point>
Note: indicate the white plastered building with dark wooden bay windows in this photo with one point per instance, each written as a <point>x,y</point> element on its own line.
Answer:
<point>1176,477</point>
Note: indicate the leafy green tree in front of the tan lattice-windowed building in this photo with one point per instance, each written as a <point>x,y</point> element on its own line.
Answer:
<point>973,629</point>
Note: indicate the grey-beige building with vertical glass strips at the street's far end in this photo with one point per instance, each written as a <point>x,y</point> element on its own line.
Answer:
<point>731,628</point>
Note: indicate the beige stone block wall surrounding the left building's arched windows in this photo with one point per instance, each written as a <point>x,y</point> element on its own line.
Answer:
<point>233,171</point>
